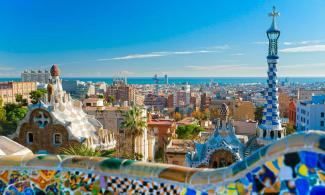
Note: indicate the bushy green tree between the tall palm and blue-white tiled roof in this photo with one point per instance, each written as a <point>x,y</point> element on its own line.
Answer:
<point>188,131</point>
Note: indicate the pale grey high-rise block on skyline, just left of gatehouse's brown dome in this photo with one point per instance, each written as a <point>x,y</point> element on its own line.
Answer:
<point>36,76</point>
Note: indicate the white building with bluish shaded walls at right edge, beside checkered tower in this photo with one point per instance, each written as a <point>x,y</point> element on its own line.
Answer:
<point>311,114</point>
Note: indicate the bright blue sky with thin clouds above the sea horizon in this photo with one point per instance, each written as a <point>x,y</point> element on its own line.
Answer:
<point>183,38</point>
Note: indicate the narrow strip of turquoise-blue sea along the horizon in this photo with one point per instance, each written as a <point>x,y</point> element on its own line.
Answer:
<point>195,80</point>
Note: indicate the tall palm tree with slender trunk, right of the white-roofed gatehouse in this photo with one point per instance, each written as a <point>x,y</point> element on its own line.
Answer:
<point>134,124</point>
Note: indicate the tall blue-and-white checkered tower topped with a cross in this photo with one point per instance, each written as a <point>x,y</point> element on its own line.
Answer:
<point>271,129</point>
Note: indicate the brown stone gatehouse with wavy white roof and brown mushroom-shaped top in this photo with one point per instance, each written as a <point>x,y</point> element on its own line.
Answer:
<point>59,121</point>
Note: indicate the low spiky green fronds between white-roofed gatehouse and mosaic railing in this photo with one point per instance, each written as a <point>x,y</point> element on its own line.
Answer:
<point>84,150</point>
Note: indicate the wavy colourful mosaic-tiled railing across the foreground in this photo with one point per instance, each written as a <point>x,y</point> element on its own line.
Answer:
<point>294,165</point>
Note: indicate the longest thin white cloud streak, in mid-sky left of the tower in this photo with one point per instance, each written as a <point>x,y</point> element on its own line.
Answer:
<point>167,53</point>
